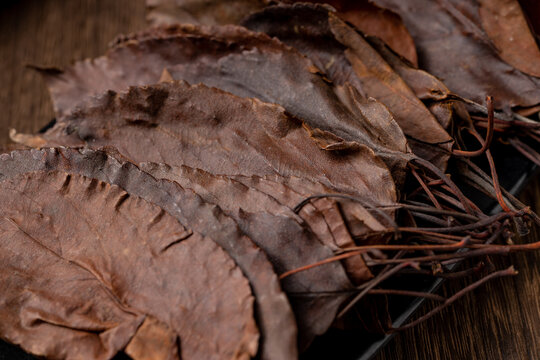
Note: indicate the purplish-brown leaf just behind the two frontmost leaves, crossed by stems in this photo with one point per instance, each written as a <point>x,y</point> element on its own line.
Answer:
<point>281,234</point>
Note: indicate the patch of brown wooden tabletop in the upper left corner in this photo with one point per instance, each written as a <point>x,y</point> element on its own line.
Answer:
<point>52,32</point>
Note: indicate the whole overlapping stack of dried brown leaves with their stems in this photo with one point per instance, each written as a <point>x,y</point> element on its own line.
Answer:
<point>217,191</point>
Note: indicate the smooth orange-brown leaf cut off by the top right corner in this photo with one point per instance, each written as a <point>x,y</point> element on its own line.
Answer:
<point>506,26</point>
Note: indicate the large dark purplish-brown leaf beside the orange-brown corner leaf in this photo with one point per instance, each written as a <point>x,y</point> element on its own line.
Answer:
<point>452,46</point>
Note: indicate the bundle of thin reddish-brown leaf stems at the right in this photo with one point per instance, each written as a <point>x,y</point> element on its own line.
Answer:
<point>462,231</point>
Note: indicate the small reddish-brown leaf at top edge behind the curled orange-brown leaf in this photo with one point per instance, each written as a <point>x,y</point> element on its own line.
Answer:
<point>375,21</point>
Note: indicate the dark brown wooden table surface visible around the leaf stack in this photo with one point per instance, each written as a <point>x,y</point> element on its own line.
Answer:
<point>498,321</point>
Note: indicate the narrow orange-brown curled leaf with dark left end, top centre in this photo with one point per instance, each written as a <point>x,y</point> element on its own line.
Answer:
<point>345,56</point>
